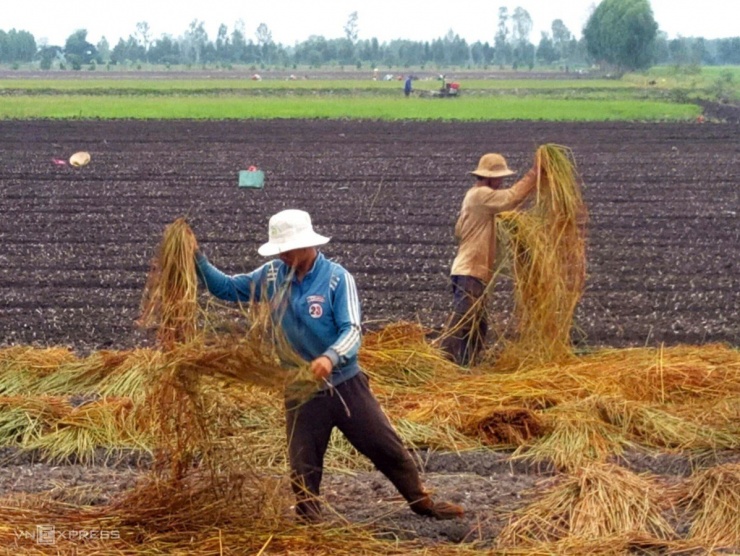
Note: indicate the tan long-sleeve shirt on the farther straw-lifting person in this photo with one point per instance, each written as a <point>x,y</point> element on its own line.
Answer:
<point>476,228</point>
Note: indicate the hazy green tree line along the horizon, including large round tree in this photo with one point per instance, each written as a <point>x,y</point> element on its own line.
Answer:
<point>620,35</point>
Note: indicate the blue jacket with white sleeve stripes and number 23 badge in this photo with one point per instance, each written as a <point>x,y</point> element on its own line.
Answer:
<point>320,315</point>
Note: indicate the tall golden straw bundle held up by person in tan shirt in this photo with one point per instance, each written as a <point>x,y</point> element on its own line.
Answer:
<point>545,248</point>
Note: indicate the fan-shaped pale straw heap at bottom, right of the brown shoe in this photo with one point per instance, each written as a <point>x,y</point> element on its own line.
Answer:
<point>598,501</point>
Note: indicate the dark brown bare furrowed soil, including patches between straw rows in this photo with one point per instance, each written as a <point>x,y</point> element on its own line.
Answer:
<point>663,252</point>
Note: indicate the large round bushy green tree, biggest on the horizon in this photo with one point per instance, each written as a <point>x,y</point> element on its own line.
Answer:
<point>621,34</point>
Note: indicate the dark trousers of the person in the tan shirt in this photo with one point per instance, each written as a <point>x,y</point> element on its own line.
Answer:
<point>467,328</point>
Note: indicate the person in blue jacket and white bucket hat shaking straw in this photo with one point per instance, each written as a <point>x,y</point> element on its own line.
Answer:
<point>316,305</point>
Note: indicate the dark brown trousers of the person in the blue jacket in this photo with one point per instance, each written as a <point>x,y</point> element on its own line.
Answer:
<point>362,421</point>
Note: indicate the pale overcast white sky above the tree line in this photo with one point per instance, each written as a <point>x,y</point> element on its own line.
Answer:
<point>292,21</point>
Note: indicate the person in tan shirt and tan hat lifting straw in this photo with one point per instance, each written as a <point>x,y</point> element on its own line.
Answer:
<point>473,266</point>
